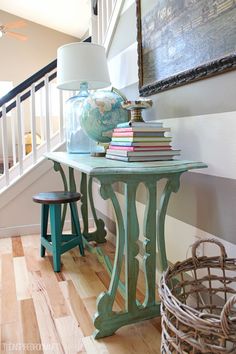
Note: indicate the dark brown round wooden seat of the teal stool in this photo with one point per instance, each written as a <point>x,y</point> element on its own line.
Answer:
<point>60,197</point>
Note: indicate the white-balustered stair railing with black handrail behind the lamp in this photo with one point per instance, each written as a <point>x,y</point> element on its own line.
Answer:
<point>31,115</point>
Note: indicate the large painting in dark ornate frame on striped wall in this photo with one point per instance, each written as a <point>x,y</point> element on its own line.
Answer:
<point>200,33</point>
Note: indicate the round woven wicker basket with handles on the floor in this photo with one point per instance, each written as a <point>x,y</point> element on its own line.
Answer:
<point>198,312</point>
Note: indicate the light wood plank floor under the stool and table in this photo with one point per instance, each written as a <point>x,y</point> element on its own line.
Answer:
<point>47,312</point>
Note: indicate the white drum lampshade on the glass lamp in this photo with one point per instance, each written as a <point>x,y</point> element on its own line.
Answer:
<point>82,62</point>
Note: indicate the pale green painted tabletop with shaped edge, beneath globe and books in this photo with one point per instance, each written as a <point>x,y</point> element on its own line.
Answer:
<point>95,166</point>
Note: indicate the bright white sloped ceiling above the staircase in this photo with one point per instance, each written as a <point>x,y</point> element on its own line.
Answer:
<point>68,16</point>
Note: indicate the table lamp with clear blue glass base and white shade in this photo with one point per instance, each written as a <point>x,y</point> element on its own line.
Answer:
<point>80,66</point>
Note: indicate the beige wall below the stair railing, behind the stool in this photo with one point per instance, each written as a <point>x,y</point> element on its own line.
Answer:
<point>18,214</point>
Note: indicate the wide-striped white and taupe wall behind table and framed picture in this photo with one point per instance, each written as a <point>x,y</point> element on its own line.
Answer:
<point>202,119</point>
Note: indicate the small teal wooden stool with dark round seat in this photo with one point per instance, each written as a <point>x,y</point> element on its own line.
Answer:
<point>58,243</point>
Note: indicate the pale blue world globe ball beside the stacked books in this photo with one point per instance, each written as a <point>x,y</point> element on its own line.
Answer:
<point>100,114</point>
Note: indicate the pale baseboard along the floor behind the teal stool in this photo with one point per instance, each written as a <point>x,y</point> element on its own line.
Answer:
<point>34,229</point>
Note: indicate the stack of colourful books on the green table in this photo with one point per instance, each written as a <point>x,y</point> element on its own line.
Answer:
<point>140,141</point>
